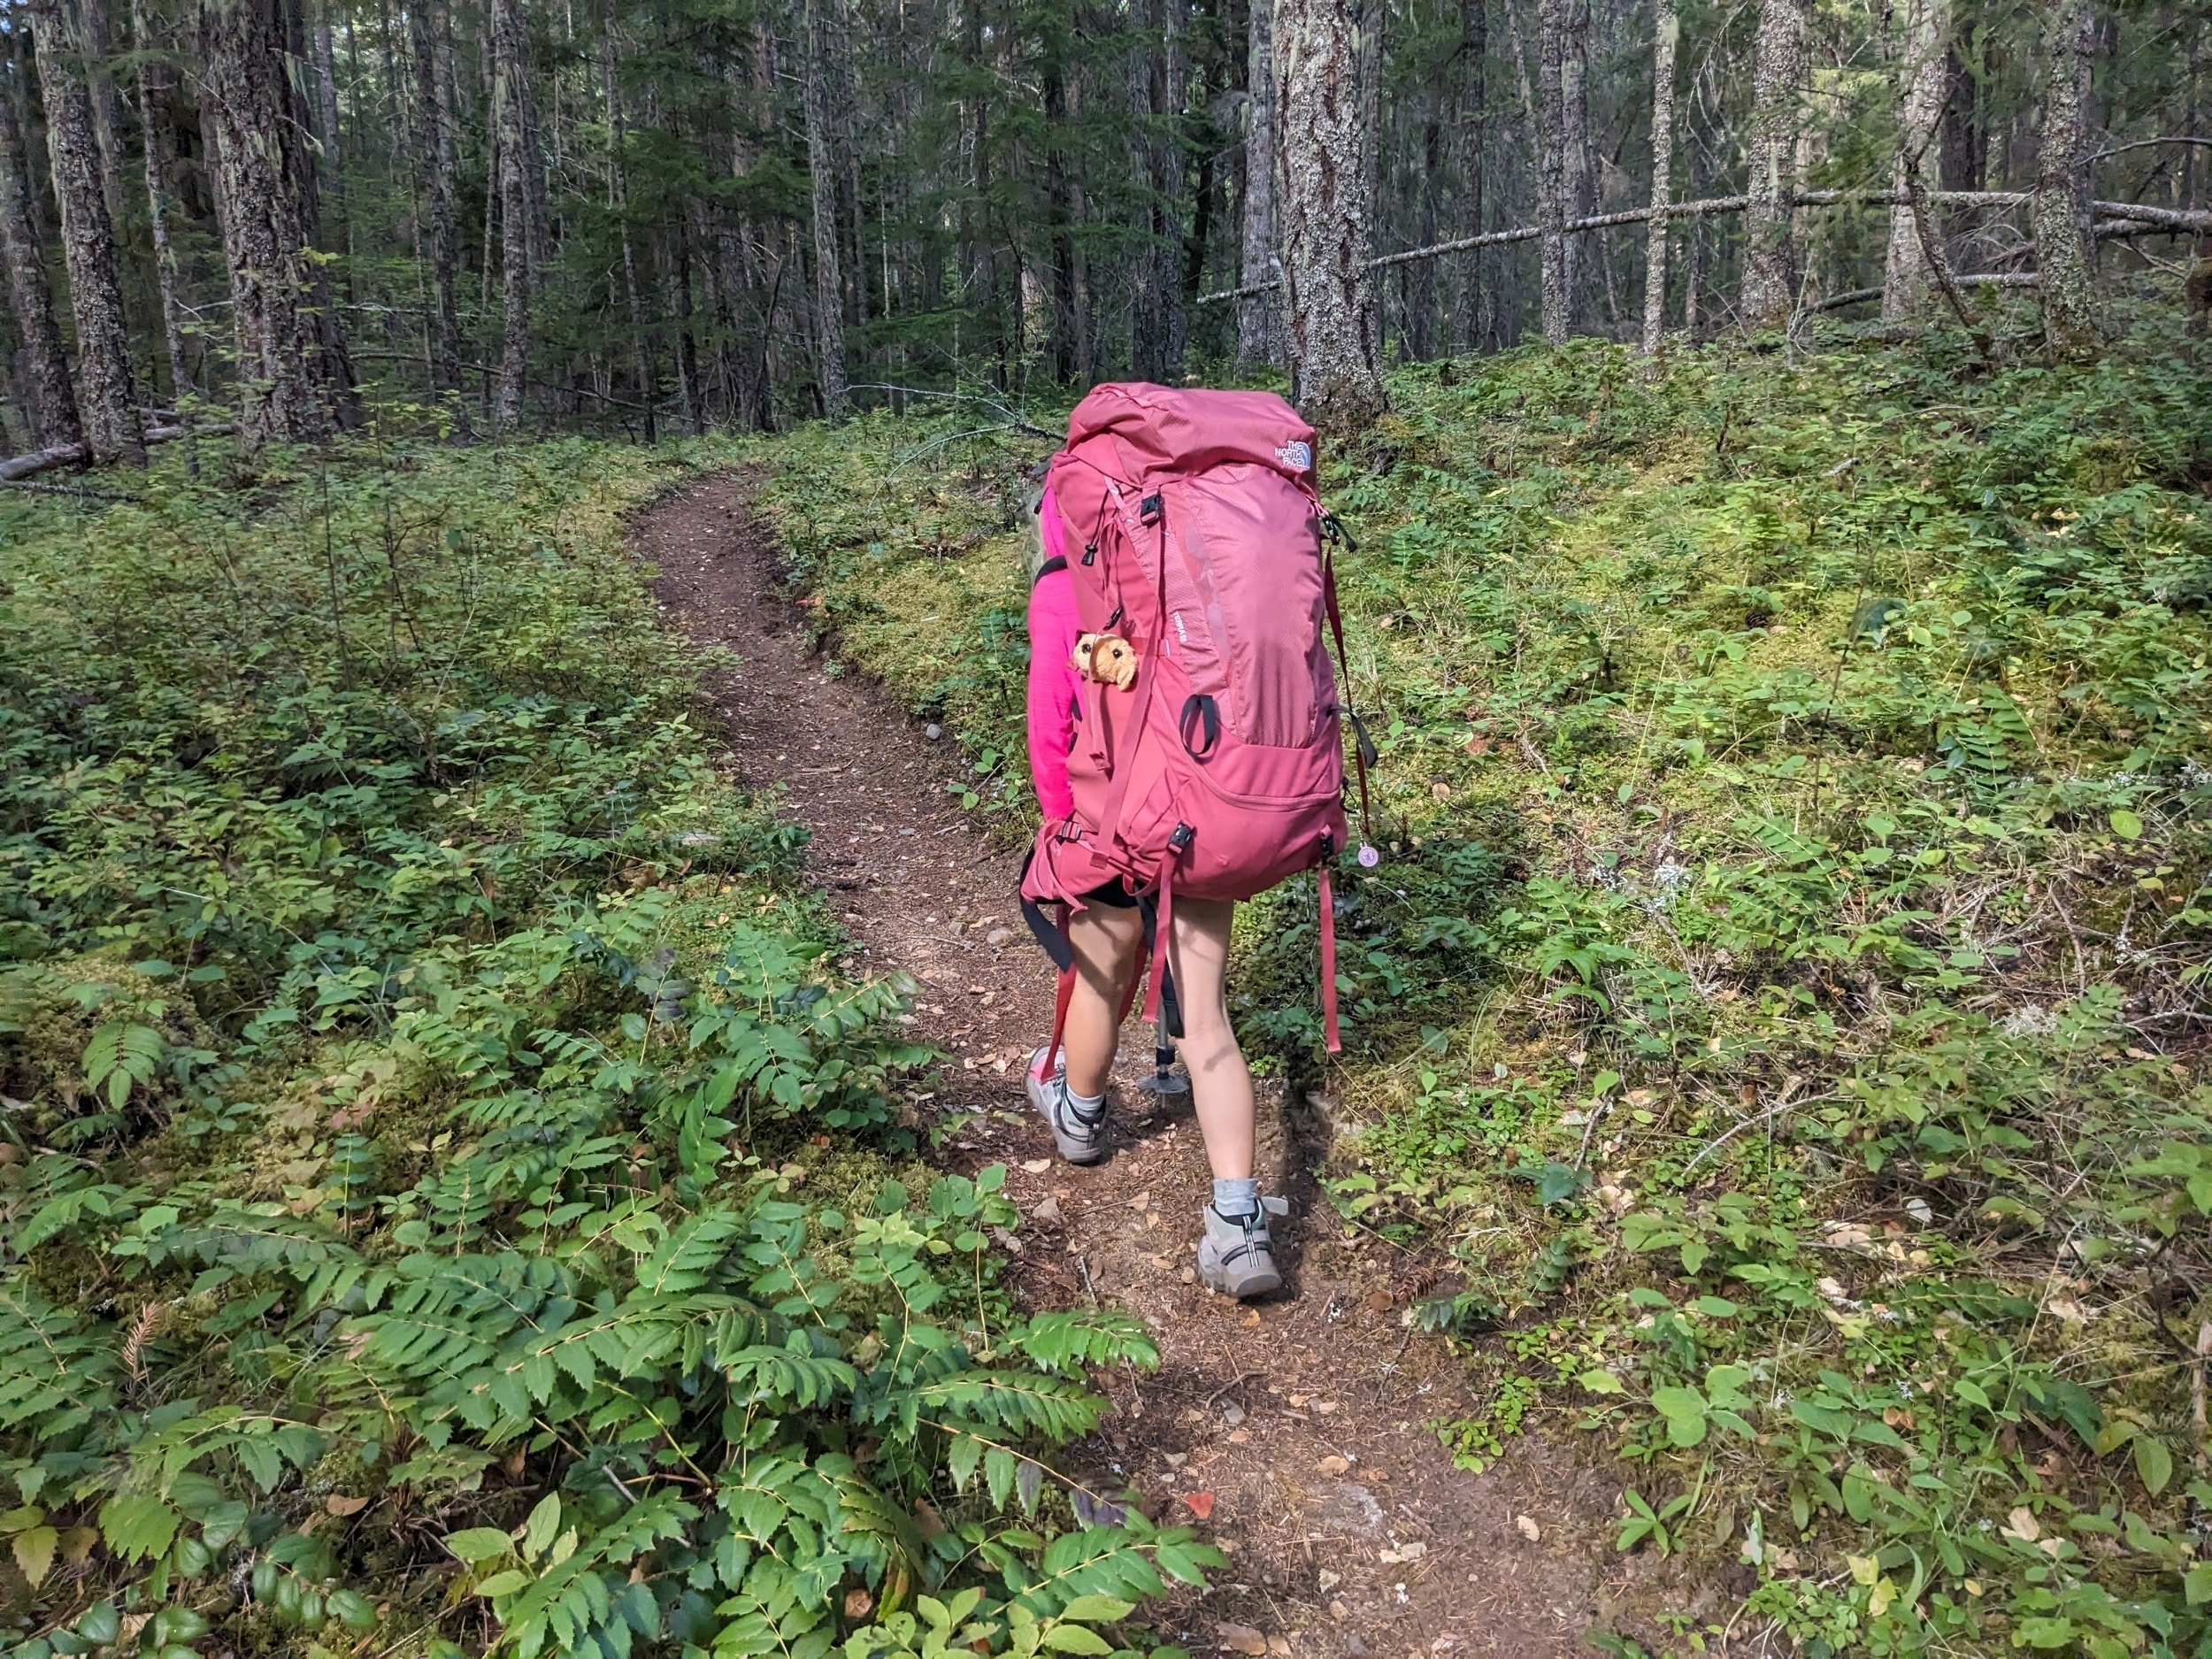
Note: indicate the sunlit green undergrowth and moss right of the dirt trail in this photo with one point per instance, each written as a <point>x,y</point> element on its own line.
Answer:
<point>1780,1008</point>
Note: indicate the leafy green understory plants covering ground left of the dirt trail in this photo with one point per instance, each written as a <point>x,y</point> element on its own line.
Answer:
<point>450,1196</point>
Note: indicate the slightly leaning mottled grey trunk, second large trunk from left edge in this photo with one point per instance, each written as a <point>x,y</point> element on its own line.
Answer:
<point>107,390</point>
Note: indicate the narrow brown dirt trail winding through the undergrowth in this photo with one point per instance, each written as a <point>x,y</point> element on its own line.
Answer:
<point>1302,1426</point>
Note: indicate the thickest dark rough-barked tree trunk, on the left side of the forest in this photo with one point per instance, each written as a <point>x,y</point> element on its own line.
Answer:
<point>291,388</point>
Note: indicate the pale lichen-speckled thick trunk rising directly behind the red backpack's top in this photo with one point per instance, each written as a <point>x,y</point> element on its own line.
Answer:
<point>1324,209</point>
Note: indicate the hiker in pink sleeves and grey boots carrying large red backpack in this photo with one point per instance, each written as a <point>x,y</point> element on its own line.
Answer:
<point>1187,749</point>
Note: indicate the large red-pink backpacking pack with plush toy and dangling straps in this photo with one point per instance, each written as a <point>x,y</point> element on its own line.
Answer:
<point>1198,541</point>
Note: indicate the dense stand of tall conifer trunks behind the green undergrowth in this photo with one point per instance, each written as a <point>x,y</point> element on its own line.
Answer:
<point>742,213</point>
